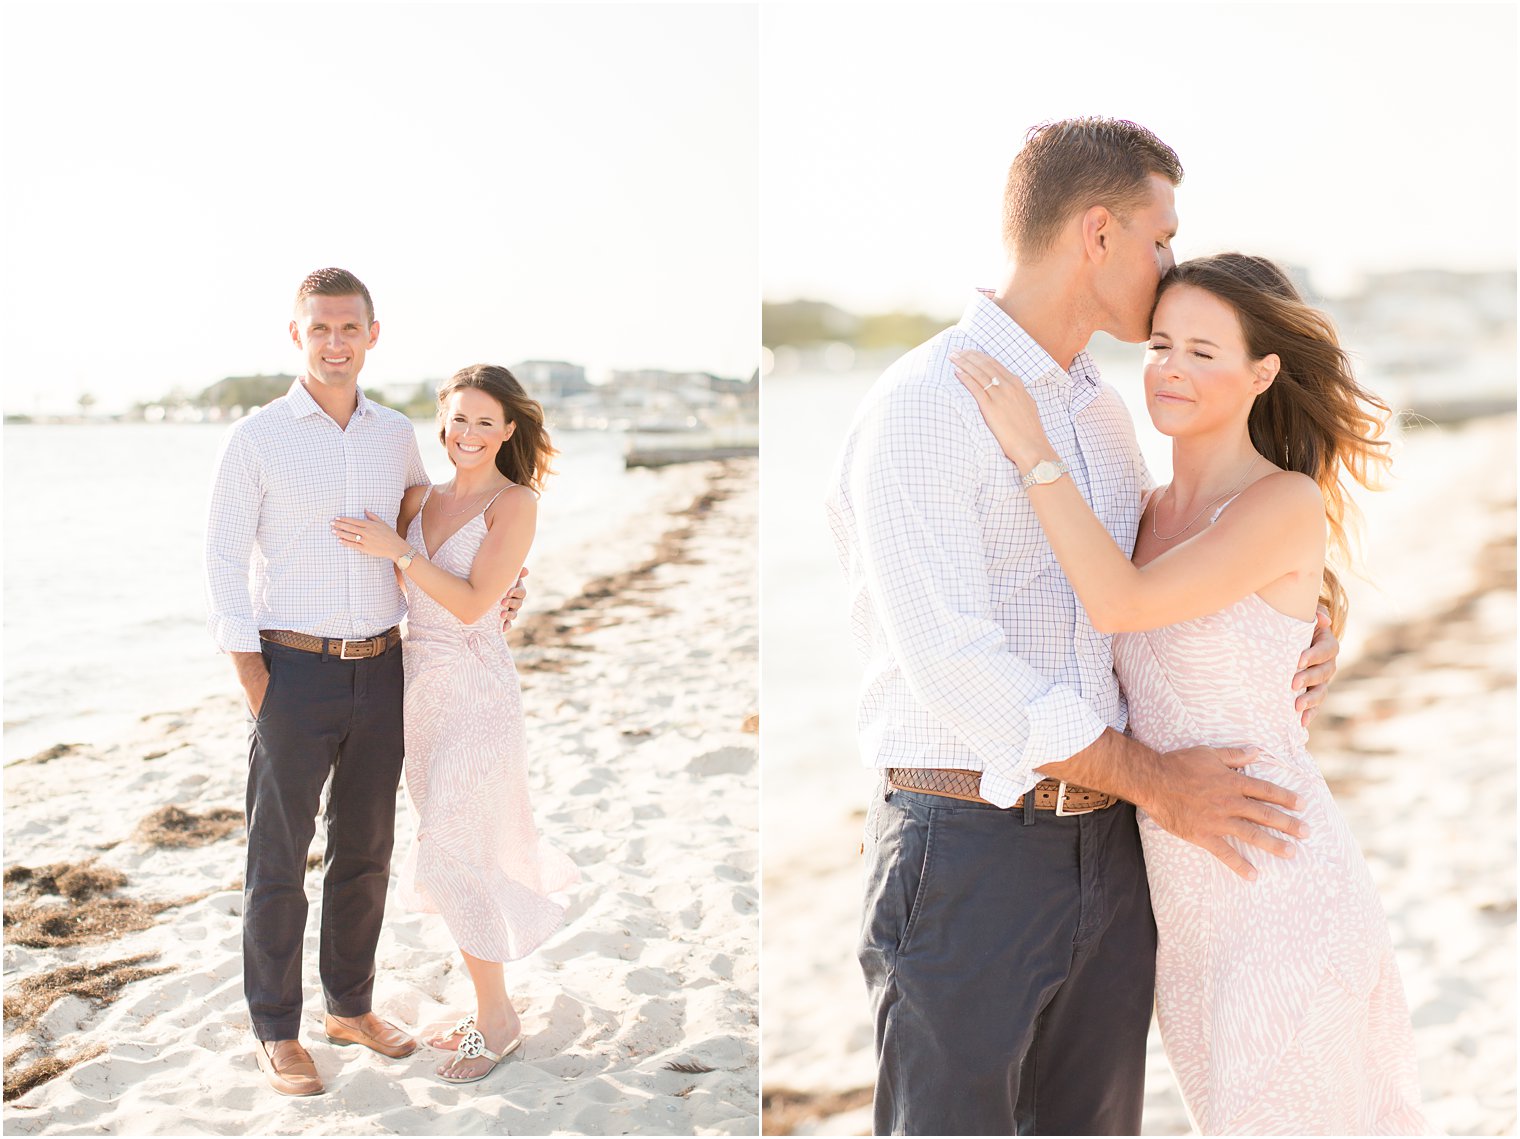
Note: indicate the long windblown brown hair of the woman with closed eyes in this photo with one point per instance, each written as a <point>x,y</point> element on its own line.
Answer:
<point>1316,417</point>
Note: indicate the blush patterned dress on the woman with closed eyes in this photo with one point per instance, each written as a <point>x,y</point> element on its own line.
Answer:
<point>1279,1000</point>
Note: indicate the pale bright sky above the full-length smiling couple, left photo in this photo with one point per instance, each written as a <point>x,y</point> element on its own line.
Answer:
<point>566,182</point>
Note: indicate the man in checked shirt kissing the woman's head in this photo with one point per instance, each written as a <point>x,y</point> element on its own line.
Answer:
<point>1009,941</point>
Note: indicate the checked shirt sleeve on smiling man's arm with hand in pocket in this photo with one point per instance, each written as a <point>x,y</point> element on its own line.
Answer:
<point>232,527</point>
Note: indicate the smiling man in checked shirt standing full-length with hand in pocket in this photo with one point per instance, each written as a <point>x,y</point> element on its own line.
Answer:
<point>312,630</point>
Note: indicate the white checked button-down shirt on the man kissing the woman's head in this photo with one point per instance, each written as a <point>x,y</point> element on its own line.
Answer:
<point>978,653</point>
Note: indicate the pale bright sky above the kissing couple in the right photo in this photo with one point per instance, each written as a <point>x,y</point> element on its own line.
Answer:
<point>1344,138</point>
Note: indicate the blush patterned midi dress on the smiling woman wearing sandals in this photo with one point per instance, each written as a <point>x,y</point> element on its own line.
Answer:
<point>477,858</point>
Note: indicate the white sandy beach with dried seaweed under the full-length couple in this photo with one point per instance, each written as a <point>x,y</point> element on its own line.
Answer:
<point>125,858</point>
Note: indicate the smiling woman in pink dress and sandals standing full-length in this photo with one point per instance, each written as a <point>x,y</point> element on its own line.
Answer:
<point>477,858</point>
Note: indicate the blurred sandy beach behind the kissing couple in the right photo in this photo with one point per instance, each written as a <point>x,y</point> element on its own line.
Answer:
<point>1419,744</point>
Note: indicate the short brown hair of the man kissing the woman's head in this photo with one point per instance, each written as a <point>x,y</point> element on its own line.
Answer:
<point>1074,165</point>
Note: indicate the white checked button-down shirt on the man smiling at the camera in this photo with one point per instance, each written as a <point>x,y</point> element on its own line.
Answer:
<point>282,477</point>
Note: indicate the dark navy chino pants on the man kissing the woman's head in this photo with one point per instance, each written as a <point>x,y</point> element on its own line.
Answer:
<point>1012,965</point>
